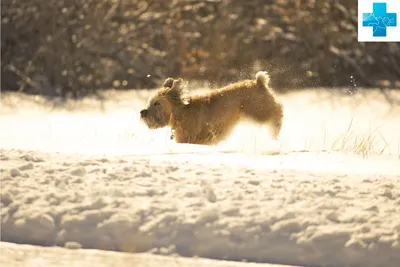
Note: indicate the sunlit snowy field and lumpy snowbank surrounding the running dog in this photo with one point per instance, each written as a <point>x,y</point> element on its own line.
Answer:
<point>88,174</point>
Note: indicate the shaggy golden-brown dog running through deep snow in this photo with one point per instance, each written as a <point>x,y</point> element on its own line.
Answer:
<point>210,118</point>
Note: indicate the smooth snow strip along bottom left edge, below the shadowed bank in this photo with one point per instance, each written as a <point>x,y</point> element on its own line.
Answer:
<point>34,256</point>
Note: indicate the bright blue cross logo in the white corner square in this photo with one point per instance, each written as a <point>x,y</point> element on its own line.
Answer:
<point>379,19</point>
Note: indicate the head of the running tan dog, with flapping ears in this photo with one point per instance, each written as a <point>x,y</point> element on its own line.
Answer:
<point>159,110</point>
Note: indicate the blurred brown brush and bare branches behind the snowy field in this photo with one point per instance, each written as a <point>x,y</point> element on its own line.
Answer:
<point>76,47</point>
